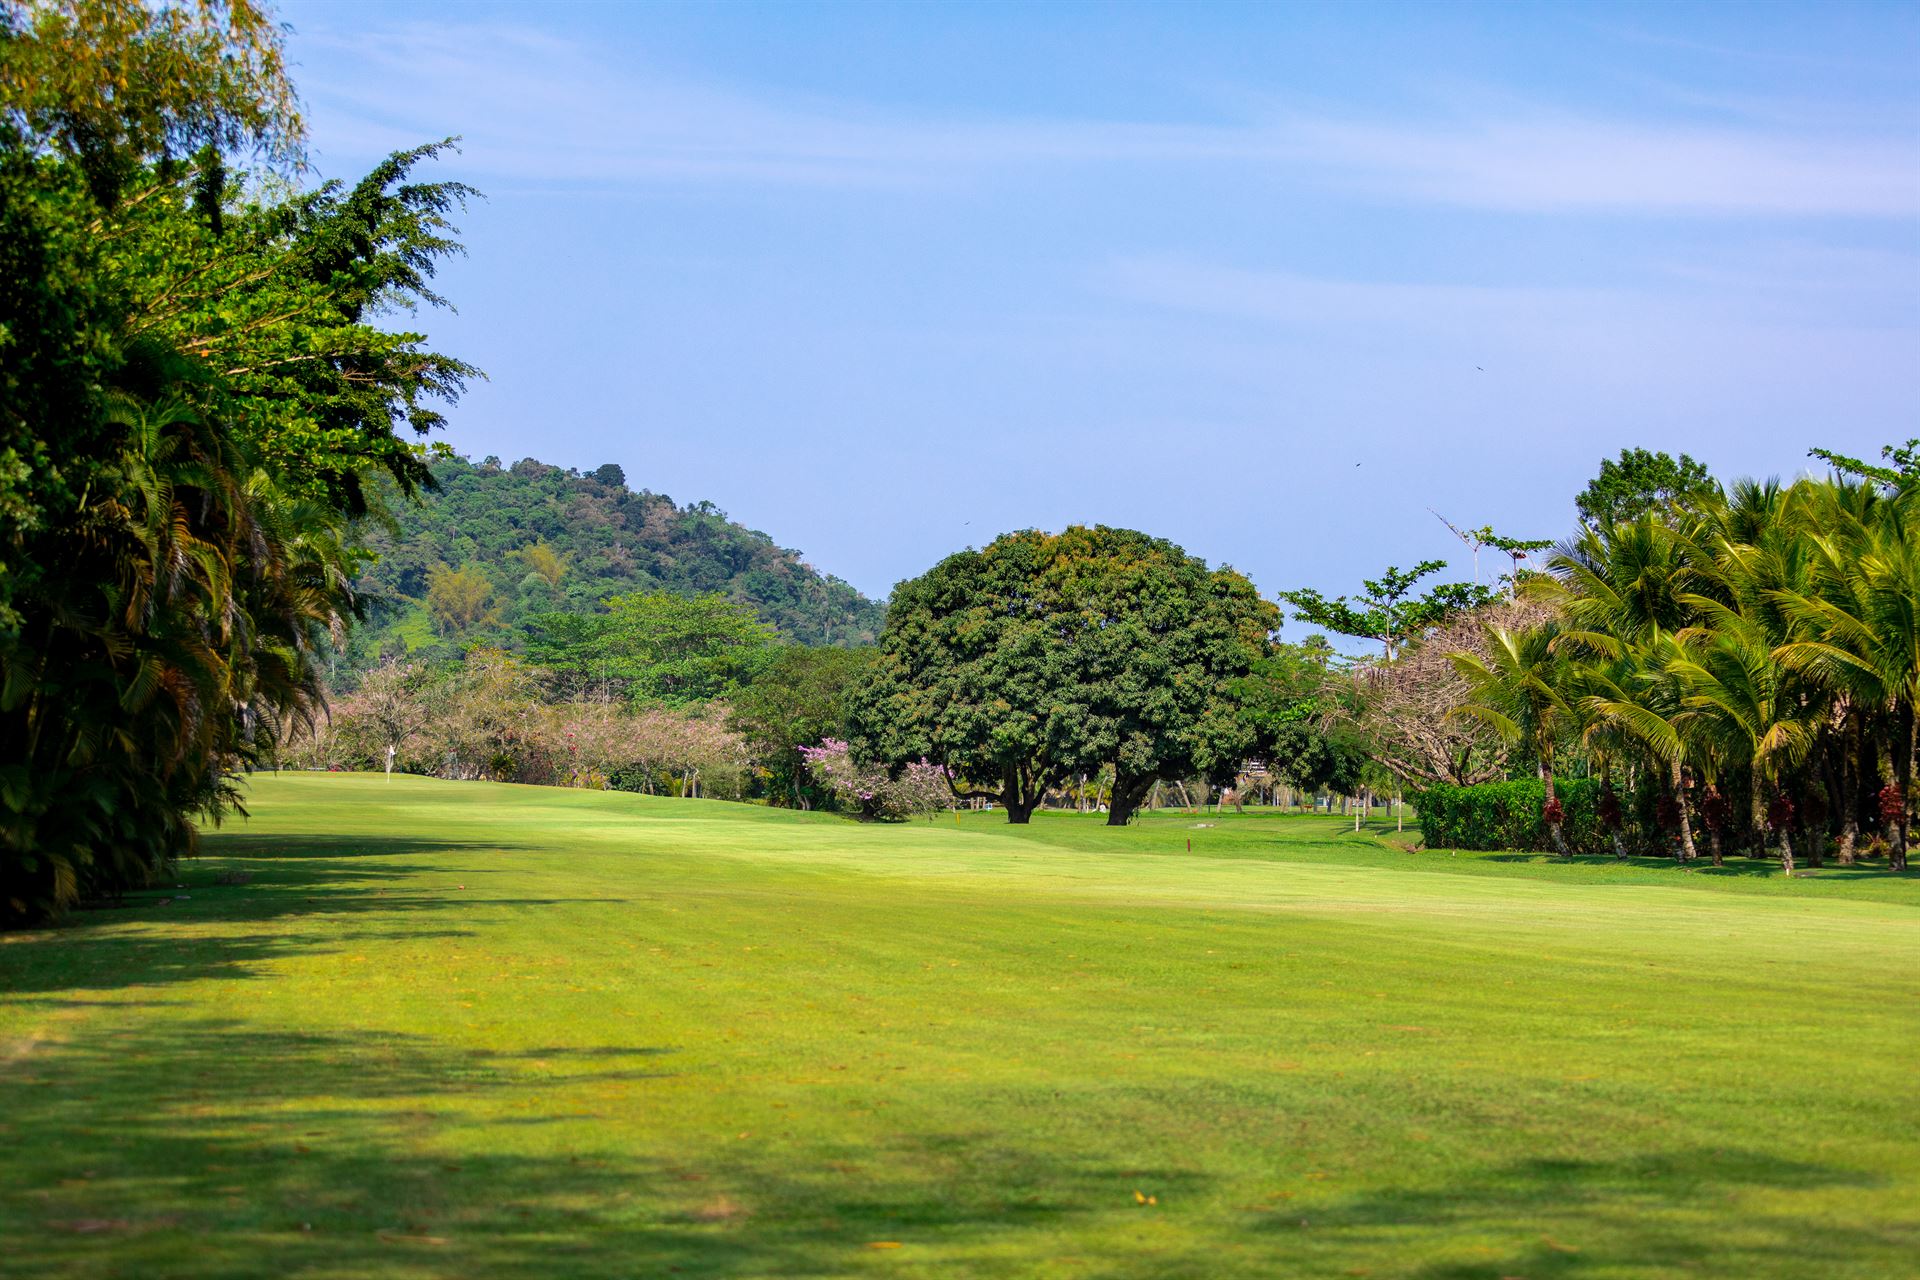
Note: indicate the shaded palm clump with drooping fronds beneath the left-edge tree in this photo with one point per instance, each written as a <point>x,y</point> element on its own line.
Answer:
<point>170,638</point>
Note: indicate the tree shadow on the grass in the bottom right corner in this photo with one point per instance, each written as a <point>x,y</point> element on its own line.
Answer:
<point>1681,1212</point>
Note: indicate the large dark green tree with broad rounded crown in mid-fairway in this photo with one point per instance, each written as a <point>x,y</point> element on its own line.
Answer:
<point>1047,655</point>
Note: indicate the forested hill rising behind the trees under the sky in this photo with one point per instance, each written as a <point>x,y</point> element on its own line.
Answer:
<point>496,546</point>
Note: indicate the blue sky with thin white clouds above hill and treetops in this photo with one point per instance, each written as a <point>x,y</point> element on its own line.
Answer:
<point>1270,281</point>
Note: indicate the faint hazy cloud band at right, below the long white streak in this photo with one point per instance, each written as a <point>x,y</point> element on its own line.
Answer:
<point>1727,329</point>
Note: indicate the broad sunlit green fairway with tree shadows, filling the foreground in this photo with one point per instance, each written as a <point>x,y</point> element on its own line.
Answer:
<point>460,1030</point>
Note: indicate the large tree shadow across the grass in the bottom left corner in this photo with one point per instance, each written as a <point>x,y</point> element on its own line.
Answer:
<point>216,1150</point>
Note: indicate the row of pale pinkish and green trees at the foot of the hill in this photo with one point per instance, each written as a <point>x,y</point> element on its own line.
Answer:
<point>663,694</point>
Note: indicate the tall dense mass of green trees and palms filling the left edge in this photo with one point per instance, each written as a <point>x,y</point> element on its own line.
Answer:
<point>193,408</point>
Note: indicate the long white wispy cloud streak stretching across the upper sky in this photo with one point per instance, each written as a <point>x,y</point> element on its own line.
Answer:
<point>546,110</point>
